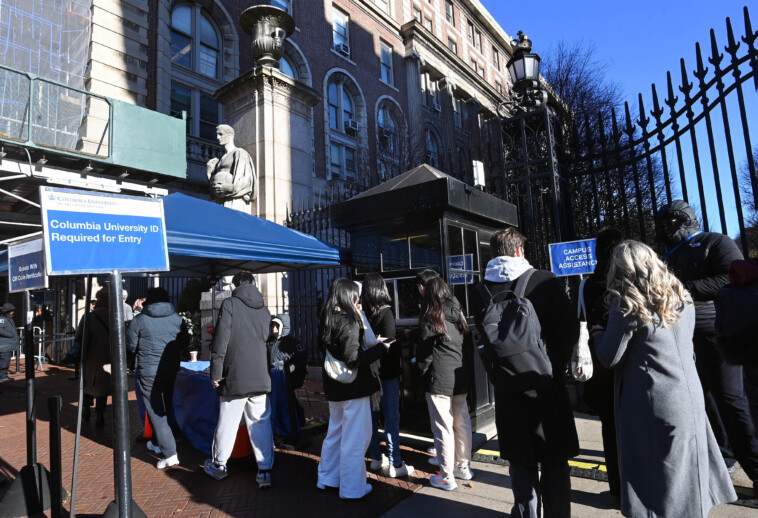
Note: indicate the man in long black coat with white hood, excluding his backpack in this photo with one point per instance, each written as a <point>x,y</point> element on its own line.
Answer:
<point>535,429</point>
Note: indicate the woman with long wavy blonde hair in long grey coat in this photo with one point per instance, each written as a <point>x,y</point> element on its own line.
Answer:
<point>670,463</point>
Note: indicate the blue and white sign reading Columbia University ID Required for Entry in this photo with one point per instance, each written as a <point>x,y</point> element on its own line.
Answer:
<point>88,232</point>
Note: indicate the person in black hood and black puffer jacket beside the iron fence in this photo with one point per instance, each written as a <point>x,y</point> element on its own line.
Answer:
<point>701,261</point>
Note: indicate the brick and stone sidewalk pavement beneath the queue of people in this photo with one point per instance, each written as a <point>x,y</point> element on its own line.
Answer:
<point>185,491</point>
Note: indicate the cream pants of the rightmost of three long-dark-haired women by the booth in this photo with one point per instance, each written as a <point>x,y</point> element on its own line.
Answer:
<point>451,426</point>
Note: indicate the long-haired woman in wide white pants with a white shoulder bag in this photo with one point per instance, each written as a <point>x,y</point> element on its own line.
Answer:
<point>341,333</point>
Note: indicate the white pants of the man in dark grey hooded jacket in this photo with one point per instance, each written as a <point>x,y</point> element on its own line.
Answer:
<point>257,413</point>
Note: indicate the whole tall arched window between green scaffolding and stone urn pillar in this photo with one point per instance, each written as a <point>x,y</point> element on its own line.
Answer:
<point>196,69</point>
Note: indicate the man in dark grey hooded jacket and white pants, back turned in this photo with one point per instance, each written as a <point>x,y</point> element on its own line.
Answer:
<point>239,371</point>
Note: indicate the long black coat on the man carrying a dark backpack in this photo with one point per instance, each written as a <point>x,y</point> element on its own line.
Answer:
<point>538,426</point>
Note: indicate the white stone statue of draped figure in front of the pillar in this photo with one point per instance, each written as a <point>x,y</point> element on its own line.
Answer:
<point>231,177</point>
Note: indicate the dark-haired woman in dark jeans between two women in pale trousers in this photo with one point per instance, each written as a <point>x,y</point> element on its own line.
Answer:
<point>375,302</point>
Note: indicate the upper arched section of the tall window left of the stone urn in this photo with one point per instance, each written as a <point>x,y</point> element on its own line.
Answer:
<point>195,43</point>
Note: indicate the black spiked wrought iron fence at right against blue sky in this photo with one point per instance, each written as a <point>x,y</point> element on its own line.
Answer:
<point>620,171</point>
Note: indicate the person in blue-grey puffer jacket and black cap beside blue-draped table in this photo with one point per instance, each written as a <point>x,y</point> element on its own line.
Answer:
<point>156,336</point>
